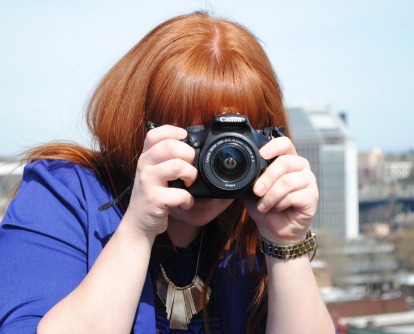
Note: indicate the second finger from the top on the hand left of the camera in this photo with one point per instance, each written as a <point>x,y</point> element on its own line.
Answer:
<point>167,149</point>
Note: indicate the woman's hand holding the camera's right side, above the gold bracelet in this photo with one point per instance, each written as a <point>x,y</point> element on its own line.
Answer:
<point>289,194</point>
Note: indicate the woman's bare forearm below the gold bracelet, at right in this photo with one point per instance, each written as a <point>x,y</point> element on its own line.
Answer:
<point>295,304</point>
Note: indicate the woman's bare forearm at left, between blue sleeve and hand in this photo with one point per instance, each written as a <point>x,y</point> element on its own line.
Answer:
<point>107,299</point>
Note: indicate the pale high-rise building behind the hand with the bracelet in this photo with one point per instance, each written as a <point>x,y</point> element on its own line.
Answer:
<point>322,137</point>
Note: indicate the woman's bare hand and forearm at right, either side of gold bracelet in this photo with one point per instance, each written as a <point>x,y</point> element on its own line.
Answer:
<point>289,197</point>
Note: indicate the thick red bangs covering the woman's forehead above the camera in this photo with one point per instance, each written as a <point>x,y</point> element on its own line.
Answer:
<point>195,86</point>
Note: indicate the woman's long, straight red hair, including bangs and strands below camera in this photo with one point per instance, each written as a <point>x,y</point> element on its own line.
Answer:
<point>185,71</point>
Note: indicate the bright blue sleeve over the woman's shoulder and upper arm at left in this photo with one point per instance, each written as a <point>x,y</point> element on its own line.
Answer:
<point>45,243</point>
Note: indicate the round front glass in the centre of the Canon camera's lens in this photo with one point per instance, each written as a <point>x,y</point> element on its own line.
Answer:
<point>230,163</point>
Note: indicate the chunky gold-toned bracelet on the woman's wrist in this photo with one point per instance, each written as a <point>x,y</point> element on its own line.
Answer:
<point>288,252</point>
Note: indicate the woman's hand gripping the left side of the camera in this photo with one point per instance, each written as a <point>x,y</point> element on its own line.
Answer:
<point>164,158</point>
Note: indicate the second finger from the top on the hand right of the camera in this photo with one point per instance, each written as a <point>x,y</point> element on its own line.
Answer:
<point>281,166</point>
